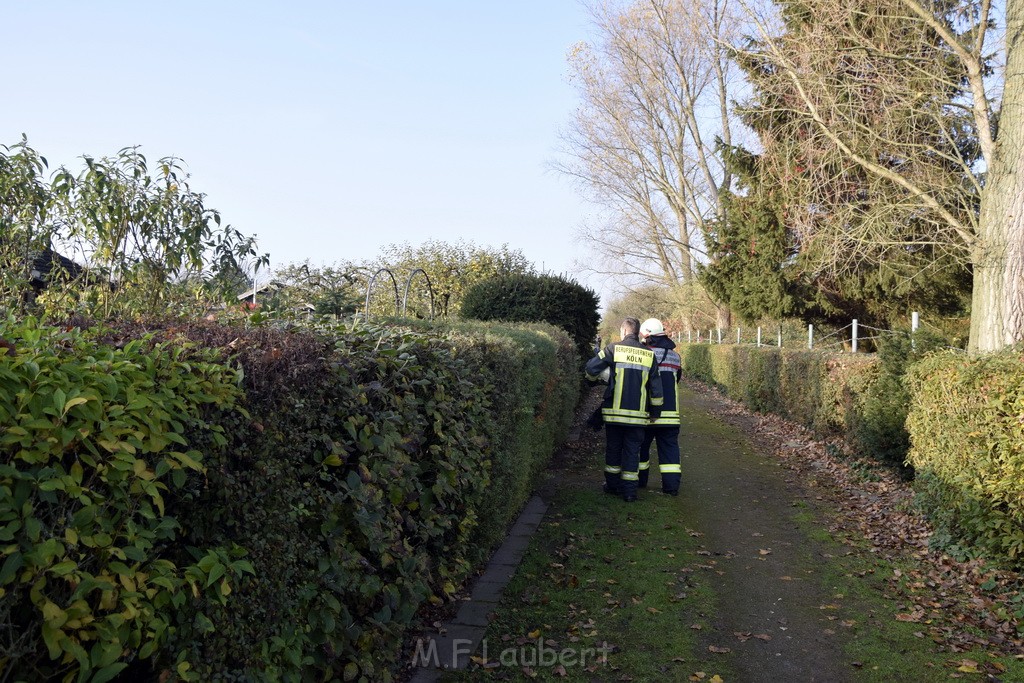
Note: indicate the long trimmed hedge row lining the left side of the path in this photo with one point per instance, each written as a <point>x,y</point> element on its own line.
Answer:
<point>342,482</point>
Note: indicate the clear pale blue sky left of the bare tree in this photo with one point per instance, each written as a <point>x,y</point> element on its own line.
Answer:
<point>329,130</point>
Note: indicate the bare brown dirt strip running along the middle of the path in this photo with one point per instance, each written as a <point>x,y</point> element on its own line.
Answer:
<point>766,570</point>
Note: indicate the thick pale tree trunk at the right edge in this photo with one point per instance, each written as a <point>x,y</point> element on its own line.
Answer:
<point>998,301</point>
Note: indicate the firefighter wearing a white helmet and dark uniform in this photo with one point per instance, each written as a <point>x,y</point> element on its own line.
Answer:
<point>665,430</point>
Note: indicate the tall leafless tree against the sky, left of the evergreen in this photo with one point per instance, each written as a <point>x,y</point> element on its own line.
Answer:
<point>643,144</point>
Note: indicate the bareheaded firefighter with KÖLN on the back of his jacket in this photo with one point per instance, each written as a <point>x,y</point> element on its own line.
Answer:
<point>633,398</point>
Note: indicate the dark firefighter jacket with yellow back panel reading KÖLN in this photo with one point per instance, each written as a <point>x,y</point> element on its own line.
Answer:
<point>634,383</point>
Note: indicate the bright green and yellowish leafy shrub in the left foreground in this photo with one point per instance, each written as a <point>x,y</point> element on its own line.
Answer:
<point>94,445</point>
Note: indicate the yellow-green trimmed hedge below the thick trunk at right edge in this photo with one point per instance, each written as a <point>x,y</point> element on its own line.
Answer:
<point>967,430</point>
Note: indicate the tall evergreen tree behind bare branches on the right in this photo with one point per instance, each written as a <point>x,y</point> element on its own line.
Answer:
<point>817,235</point>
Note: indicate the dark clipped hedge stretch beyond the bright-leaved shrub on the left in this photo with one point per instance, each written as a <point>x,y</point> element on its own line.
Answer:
<point>396,457</point>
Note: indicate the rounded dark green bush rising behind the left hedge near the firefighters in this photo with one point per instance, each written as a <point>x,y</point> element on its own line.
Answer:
<point>528,298</point>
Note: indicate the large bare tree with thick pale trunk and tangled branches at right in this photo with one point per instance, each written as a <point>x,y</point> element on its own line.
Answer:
<point>890,101</point>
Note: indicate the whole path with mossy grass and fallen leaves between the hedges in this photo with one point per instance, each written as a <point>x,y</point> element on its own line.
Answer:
<point>778,563</point>
